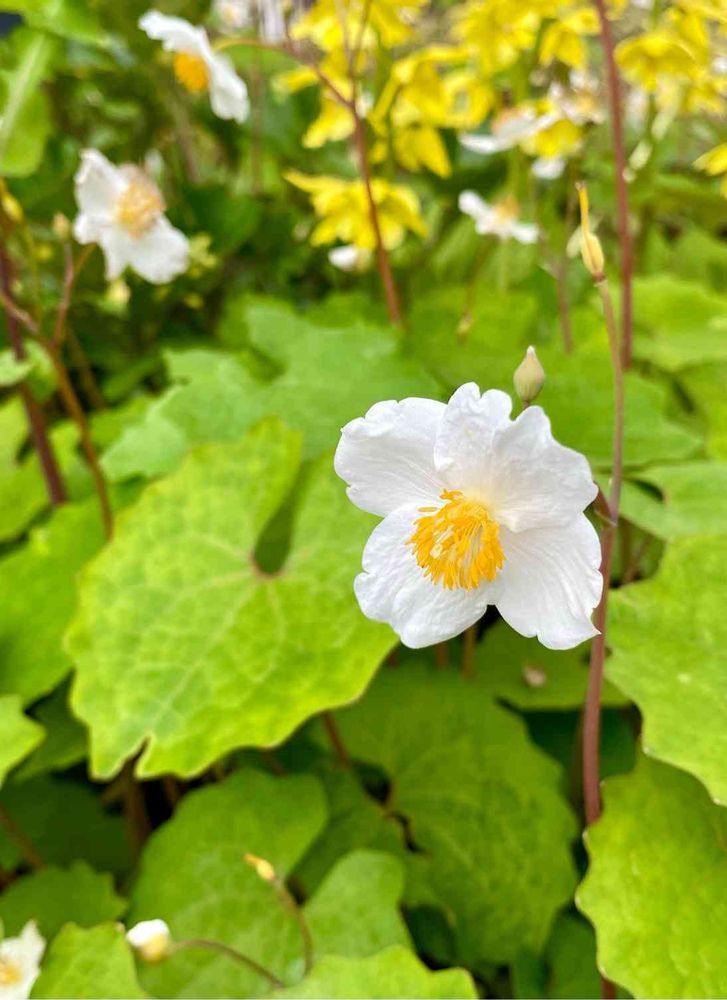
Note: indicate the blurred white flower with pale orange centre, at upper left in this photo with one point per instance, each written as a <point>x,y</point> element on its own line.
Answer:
<point>122,210</point>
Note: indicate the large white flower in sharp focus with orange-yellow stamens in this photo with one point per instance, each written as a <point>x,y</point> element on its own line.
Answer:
<point>478,509</point>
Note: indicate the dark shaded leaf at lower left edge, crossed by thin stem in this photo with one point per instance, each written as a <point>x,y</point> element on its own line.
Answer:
<point>65,821</point>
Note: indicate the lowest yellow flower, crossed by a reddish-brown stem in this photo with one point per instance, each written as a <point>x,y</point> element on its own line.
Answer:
<point>343,209</point>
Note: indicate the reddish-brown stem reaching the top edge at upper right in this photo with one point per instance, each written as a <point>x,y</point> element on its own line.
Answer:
<point>622,197</point>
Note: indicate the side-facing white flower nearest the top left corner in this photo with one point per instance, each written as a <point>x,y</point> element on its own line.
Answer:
<point>197,66</point>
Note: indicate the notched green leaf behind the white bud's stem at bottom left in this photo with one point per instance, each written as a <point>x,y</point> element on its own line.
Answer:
<point>220,896</point>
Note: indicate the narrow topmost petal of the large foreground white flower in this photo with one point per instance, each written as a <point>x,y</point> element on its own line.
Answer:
<point>465,435</point>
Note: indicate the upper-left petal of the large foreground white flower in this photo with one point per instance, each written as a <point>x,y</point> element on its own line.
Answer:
<point>387,457</point>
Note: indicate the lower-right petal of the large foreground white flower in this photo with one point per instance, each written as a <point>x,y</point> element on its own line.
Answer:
<point>551,582</point>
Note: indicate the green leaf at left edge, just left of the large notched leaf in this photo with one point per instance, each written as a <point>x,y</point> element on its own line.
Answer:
<point>38,595</point>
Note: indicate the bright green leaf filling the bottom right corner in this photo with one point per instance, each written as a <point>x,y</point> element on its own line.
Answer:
<point>654,886</point>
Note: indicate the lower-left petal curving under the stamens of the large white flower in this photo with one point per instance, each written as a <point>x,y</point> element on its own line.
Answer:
<point>394,589</point>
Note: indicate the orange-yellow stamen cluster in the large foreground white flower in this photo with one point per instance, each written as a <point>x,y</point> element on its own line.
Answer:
<point>457,544</point>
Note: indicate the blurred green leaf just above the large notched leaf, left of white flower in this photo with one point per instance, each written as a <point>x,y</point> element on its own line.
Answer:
<point>316,391</point>
